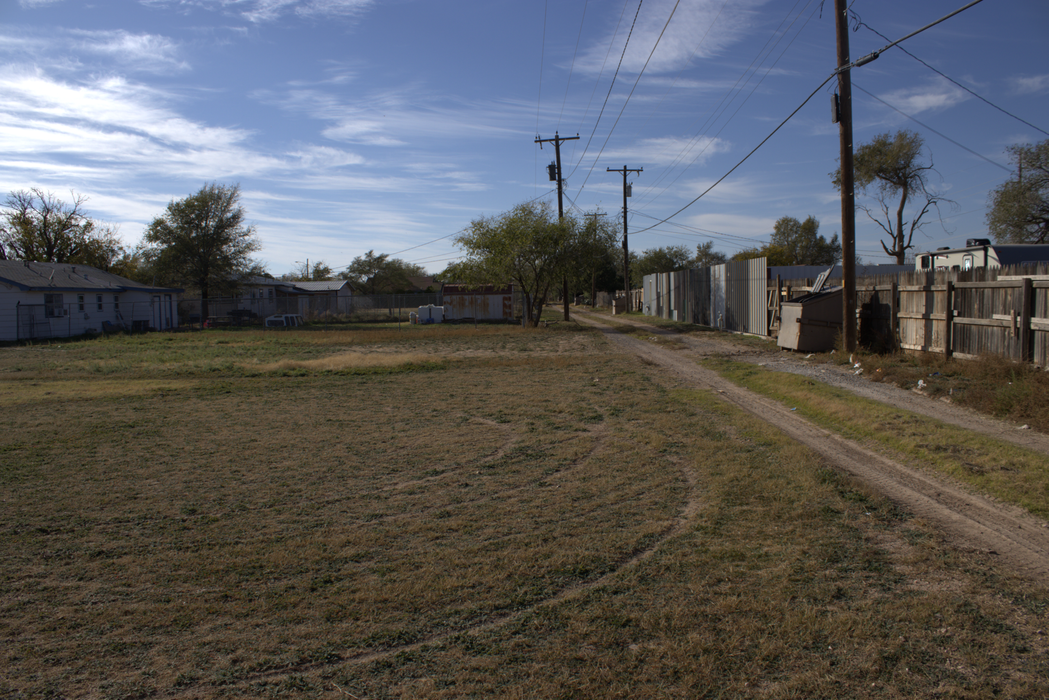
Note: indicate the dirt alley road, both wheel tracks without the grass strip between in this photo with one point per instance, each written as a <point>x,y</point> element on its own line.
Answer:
<point>970,521</point>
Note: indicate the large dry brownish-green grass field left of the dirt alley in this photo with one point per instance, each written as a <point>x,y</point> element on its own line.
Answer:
<point>445,513</point>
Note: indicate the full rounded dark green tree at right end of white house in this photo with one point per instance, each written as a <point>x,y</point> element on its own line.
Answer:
<point>203,242</point>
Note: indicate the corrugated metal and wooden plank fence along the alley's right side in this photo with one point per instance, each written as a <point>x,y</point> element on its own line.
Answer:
<point>997,311</point>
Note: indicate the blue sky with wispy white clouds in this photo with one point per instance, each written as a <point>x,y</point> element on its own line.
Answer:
<point>390,125</point>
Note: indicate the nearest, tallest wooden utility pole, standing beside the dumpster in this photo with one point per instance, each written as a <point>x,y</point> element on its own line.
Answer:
<point>844,115</point>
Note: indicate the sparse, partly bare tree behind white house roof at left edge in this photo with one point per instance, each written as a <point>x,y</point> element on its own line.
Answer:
<point>39,227</point>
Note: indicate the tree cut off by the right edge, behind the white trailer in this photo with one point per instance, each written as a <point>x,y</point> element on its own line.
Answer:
<point>1019,208</point>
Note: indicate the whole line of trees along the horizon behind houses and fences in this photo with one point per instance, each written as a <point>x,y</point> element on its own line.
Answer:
<point>204,242</point>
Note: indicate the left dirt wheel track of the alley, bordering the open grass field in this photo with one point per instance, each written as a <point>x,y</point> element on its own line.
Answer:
<point>971,521</point>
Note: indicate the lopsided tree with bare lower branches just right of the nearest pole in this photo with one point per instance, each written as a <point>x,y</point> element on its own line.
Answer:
<point>892,169</point>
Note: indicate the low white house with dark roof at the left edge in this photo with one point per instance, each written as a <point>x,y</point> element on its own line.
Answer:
<point>60,301</point>
